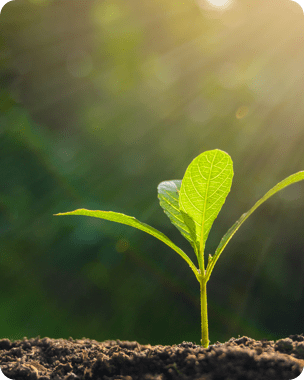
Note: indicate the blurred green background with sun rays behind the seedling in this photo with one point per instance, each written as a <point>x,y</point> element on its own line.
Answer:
<point>100,101</point>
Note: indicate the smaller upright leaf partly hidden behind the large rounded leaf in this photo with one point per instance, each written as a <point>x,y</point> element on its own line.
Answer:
<point>168,194</point>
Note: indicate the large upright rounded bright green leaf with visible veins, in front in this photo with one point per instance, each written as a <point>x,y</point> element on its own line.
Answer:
<point>204,188</point>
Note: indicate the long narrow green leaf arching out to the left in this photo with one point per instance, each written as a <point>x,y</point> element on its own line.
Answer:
<point>133,222</point>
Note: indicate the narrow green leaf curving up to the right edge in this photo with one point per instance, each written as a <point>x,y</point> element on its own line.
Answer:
<point>232,230</point>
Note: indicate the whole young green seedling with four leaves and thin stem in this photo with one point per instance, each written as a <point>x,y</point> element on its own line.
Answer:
<point>192,204</point>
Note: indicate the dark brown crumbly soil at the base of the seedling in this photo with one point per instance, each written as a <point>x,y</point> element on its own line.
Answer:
<point>86,359</point>
